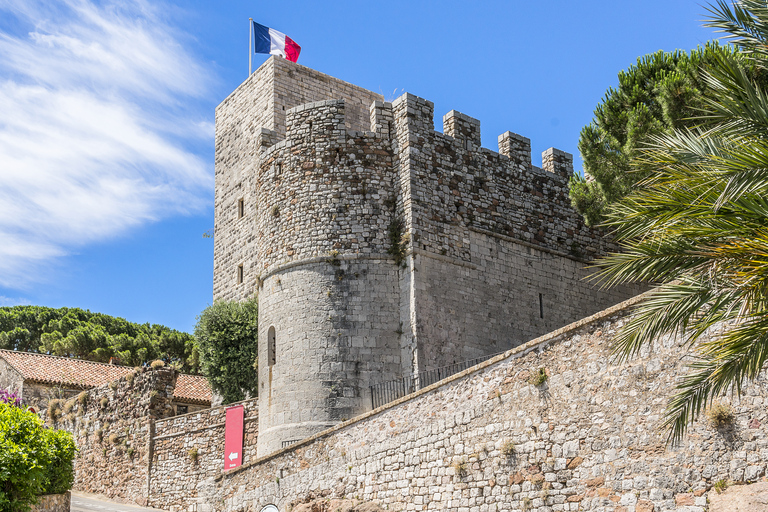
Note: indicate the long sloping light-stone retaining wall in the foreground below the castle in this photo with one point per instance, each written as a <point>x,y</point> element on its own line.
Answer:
<point>589,438</point>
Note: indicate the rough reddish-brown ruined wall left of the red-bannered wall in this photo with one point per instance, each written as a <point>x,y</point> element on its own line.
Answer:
<point>112,426</point>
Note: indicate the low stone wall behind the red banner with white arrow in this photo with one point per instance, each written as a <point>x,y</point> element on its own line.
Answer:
<point>188,449</point>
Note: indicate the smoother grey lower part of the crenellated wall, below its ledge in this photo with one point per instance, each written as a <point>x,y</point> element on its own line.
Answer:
<point>505,295</point>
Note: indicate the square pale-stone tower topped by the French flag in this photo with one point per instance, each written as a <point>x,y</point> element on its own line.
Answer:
<point>242,120</point>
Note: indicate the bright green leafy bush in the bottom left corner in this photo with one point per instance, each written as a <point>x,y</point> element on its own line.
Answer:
<point>34,460</point>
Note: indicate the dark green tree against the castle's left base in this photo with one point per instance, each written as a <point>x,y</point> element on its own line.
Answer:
<point>227,338</point>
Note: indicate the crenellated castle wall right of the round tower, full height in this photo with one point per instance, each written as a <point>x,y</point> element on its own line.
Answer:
<point>500,253</point>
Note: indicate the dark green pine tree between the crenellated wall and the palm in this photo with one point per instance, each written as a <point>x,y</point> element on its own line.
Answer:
<point>662,92</point>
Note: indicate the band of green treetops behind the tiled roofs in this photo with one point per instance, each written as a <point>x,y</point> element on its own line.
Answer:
<point>74,332</point>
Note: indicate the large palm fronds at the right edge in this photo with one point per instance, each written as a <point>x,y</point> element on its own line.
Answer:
<point>698,226</point>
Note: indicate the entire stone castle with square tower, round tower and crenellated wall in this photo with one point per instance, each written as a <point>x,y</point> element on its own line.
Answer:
<point>379,247</point>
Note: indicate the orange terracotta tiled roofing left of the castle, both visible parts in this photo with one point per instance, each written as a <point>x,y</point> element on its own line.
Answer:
<point>87,374</point>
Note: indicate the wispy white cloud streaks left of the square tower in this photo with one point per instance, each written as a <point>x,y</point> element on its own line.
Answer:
<point>97,117</point>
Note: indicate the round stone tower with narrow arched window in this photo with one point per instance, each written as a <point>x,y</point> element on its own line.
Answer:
<point>329,292</point>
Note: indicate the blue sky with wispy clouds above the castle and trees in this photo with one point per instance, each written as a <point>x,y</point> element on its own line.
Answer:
<point>107,116</point>
